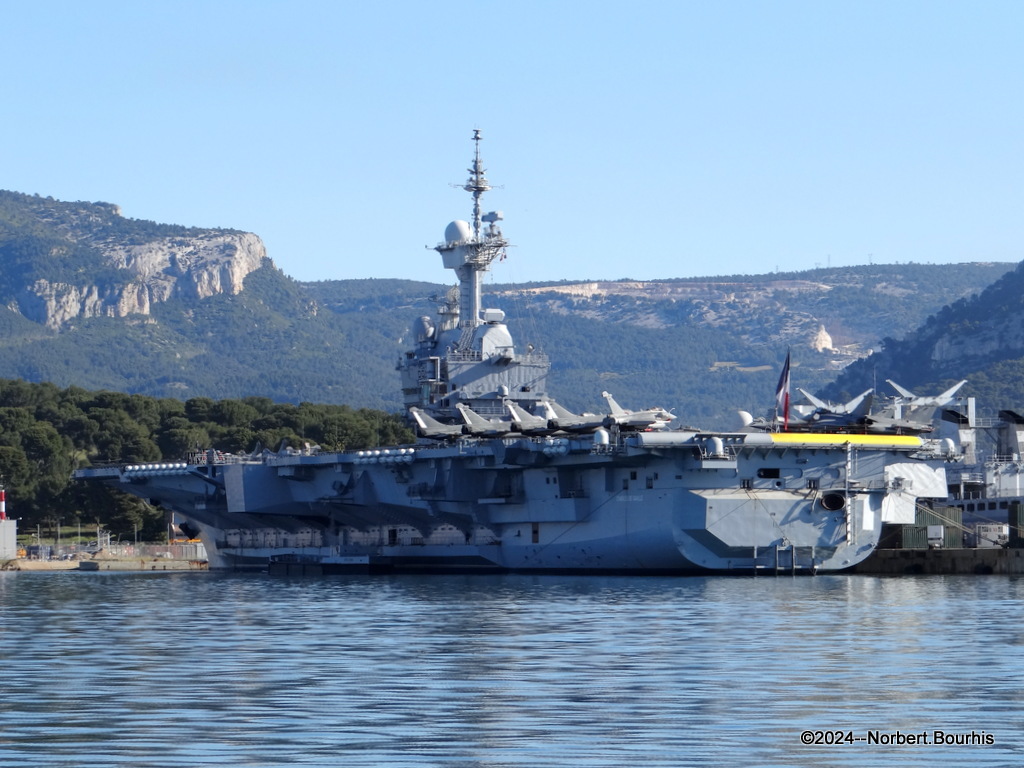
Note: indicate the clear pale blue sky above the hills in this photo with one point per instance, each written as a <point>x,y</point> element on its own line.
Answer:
<point>645,141</point>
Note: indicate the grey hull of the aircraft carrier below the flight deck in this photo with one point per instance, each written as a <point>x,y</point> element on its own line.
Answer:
<point>661,502</point>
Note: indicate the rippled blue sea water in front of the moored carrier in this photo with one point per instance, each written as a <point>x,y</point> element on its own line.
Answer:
<point>487,672</point>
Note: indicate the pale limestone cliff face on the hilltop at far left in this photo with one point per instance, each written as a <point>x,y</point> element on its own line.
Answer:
<point>198,266</point>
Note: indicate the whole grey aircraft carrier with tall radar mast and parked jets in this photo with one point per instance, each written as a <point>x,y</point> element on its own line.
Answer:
<point>505,479</point>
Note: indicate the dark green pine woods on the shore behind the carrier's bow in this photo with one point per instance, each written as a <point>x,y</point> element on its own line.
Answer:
<point>47,433</point>
